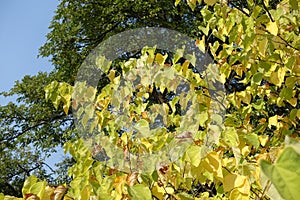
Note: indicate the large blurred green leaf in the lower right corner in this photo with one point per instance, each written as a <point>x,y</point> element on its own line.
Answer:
<point>285,174</point>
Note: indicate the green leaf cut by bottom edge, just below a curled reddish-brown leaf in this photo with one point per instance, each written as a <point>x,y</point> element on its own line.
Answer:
<point>139,192</point>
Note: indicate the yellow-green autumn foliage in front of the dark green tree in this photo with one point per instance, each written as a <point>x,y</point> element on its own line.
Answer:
<point>256,50</point>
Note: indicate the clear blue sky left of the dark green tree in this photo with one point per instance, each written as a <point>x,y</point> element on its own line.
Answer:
<point>23,28</point>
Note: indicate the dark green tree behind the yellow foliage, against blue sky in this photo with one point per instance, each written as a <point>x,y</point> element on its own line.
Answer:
<point>76,29</point>
